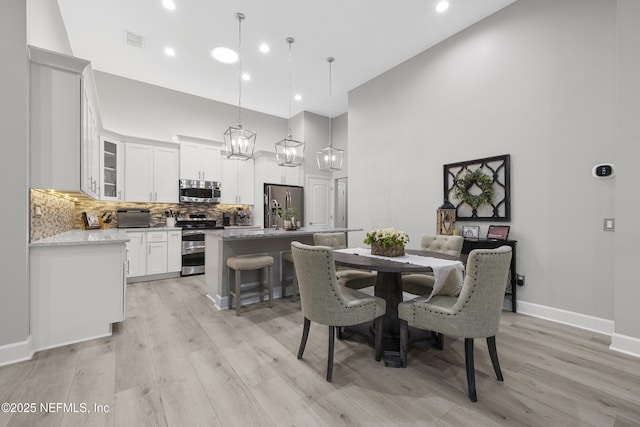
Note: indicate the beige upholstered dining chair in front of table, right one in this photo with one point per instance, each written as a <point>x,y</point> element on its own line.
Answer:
<point>475,313</point>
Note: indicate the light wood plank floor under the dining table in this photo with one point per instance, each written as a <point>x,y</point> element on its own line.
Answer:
<point>176,361</point>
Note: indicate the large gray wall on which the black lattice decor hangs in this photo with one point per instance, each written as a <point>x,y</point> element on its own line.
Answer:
<point>537,81</point>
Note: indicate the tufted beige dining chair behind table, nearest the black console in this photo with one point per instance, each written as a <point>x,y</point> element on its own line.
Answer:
<point>422,283</point>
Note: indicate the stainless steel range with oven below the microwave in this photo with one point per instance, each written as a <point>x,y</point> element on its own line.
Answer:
<point>193,229</point>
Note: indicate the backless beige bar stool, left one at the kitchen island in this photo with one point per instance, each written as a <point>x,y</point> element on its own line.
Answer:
<point>241,263</point>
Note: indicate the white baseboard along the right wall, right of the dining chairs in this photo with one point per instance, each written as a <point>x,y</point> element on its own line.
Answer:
<point>621,343</point>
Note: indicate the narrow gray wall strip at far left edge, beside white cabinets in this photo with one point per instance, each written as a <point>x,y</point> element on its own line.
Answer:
<point>14,74</point>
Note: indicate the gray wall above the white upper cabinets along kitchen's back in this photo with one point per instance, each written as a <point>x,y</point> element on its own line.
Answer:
<point>133,108</point>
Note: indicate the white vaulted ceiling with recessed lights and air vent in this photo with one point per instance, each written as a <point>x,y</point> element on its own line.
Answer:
<point>366,37</point>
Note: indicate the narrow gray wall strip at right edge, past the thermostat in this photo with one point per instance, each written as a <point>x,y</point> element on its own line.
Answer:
<point>627,252</point>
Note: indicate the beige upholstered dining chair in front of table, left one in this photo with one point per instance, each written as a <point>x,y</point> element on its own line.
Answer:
<point>324,301</point>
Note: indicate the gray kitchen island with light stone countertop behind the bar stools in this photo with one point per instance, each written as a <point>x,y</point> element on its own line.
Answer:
<point>222,244</point>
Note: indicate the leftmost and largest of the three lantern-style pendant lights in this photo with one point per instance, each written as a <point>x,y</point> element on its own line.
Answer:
<point>239,142</point>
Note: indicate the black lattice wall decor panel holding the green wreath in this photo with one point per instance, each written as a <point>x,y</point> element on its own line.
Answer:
<point>498,169</point>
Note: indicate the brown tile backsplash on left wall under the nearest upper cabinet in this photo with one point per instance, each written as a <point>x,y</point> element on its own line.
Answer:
<point>50,215</point>
